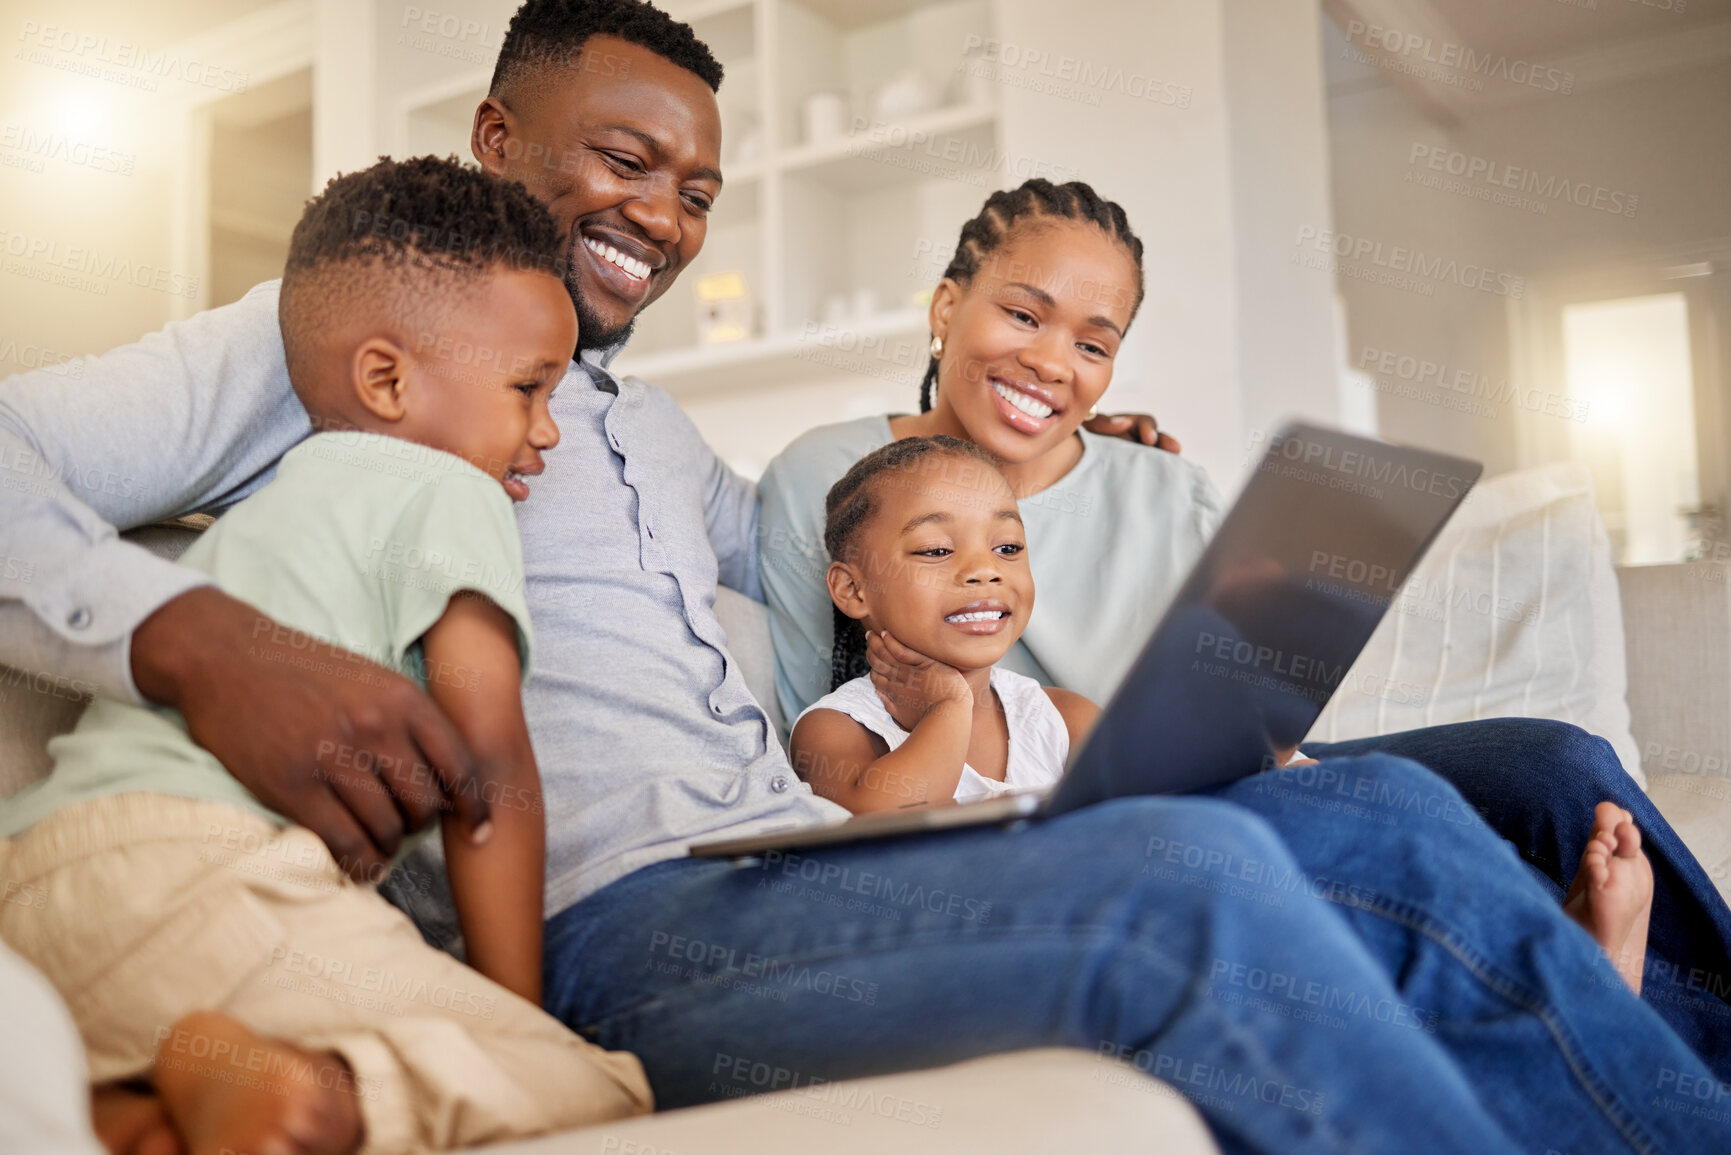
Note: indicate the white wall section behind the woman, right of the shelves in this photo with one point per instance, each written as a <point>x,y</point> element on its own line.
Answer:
<point>1230,337</point>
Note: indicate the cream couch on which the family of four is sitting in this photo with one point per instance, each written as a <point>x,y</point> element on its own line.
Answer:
<point>1675,626</point>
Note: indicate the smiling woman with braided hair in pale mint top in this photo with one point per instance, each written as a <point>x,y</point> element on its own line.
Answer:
<point>1027,325</point>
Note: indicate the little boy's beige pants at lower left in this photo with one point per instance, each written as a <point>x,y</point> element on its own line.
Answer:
<point>143,908</point>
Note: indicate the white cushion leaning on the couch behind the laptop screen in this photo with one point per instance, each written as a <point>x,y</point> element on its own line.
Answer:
<point>1512,614</point>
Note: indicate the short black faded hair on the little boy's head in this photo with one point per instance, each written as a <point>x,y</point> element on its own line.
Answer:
<point>404,242</point>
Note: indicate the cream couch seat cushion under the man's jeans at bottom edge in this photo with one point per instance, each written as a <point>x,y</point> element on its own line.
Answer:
<point>1036,1102</point>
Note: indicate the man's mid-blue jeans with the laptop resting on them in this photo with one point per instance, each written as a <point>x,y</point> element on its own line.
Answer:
<point>1315,979</point>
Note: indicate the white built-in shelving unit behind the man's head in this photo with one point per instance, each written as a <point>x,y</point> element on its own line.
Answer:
<point>835,238</point>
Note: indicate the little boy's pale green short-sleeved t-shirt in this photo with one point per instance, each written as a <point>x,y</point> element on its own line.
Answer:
<point>357,545</point>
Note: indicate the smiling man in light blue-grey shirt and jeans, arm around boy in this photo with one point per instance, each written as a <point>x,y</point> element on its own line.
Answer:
<point>1133,929</point>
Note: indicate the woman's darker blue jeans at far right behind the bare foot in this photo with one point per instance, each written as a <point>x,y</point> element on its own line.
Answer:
<point>1536,784</point>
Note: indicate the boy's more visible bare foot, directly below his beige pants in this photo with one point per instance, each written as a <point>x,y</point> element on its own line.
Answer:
<point>231,1092</point>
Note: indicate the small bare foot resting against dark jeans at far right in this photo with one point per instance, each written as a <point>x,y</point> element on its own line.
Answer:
<point>1612,894</point>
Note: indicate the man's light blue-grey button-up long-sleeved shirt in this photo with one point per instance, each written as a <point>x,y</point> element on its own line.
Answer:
<point>643,726</point>
